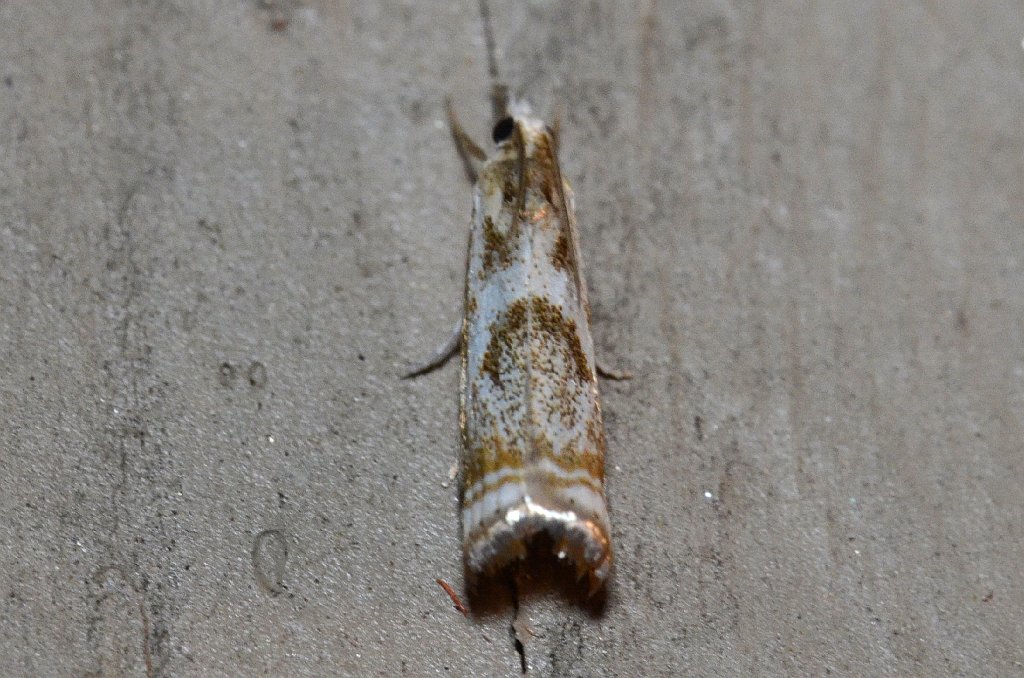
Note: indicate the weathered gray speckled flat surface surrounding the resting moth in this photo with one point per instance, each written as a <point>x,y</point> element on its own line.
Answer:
<point>226,227</point>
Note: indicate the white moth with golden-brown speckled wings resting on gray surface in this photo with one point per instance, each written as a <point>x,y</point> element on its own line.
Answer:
<point>533,436</point>
